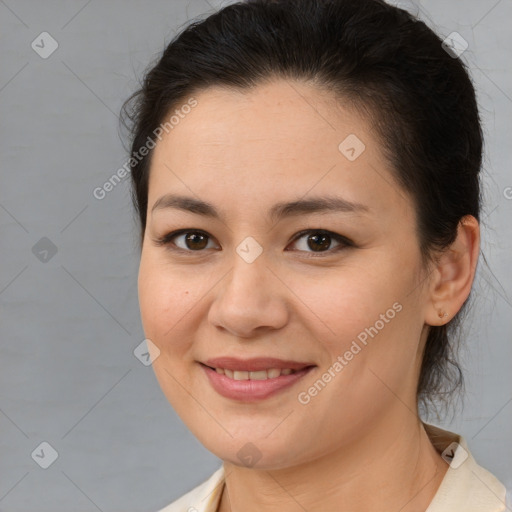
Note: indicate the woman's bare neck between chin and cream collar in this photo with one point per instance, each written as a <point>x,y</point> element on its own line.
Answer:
<point>392,467</point>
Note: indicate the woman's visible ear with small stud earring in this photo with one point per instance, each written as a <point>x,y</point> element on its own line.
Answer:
<point>454,273</point>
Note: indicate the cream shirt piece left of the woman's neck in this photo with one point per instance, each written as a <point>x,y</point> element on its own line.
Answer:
<point>203,498</point>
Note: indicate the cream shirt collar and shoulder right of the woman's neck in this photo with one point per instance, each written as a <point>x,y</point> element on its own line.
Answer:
<point>466,485</point>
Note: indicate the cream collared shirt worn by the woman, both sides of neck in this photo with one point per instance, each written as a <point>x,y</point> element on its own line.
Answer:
<point>466,486</point>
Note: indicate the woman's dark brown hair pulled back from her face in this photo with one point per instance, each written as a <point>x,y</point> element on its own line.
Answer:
<point>387,63</point>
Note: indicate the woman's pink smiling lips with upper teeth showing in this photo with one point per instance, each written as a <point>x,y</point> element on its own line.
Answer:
<point>252,379</point>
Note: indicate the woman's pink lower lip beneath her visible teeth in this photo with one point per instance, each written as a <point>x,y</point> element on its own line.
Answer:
<point>251,390</point>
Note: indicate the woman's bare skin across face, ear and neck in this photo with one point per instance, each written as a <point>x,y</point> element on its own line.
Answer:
<point>359,443</point>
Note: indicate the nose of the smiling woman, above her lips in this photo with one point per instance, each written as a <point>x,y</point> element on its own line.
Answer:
<point>250,299</point>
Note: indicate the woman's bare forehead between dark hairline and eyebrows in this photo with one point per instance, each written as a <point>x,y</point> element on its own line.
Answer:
<point>280,138</point>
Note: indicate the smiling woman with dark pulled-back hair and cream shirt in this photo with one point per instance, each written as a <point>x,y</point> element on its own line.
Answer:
<point>306,175</point>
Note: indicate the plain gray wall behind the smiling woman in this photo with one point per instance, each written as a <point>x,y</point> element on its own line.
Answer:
<point>69,325</point>
